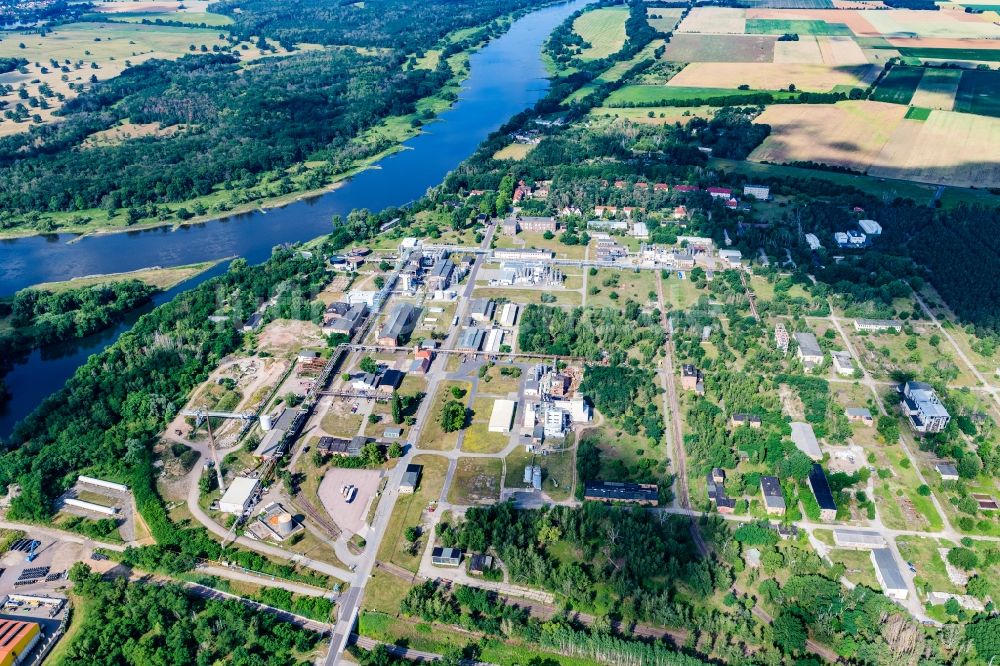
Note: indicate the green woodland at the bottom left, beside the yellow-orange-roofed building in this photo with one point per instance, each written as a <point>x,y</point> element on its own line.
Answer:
<point>146,623</point>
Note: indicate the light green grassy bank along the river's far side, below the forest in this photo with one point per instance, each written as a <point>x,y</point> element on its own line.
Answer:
<point>392,131</point>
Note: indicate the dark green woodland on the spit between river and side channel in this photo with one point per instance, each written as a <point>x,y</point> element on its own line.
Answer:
<point>38,317</point>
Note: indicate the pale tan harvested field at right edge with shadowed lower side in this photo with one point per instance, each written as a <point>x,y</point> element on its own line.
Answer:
<point>948,148</point>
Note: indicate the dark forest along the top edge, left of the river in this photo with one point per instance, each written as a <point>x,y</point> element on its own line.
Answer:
<point>396,24</point>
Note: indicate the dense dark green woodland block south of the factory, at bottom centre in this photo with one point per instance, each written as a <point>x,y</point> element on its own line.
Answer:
<point>629,560</point>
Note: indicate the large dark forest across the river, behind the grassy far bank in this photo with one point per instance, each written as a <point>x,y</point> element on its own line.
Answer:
<point>240,124</point>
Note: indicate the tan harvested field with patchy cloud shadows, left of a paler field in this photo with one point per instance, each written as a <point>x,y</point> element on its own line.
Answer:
<point>849,134</point>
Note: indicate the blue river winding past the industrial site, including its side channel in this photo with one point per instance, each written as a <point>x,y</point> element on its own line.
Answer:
<point>506,77</point>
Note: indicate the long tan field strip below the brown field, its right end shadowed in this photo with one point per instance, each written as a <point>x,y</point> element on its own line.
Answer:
<point>773,76</point>
